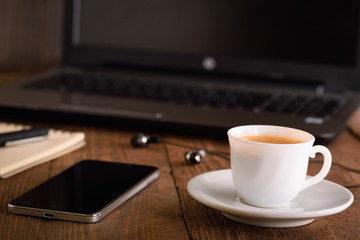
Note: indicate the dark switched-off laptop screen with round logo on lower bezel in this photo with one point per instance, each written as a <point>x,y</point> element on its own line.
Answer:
<point>315,40</point>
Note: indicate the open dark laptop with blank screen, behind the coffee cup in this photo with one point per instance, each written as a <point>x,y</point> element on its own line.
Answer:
<point>202,66</point>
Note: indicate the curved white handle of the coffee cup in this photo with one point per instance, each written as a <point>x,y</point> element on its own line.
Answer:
<point>325,168</point>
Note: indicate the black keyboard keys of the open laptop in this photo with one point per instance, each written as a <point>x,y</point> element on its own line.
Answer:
<point>201,96</point>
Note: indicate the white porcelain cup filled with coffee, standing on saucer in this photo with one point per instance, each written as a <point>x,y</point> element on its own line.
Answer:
<point>270,175</point>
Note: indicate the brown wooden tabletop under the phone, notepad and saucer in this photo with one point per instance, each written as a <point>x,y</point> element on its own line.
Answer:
<point>165,210</point>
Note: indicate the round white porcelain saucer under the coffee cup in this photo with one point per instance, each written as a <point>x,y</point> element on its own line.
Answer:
<point>216,190</point>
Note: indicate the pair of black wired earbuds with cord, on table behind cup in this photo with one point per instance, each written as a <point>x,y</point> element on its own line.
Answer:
<point>191,157</point>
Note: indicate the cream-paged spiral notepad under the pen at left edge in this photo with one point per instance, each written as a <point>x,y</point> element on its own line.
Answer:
<point>17,158</point>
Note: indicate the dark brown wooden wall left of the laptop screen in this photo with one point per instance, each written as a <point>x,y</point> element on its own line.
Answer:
<point>30,35</point>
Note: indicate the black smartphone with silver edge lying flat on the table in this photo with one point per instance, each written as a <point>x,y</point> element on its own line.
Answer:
<point>85,192</point>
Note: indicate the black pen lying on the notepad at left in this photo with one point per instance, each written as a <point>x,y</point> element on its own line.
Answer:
<point>23,136</point>
